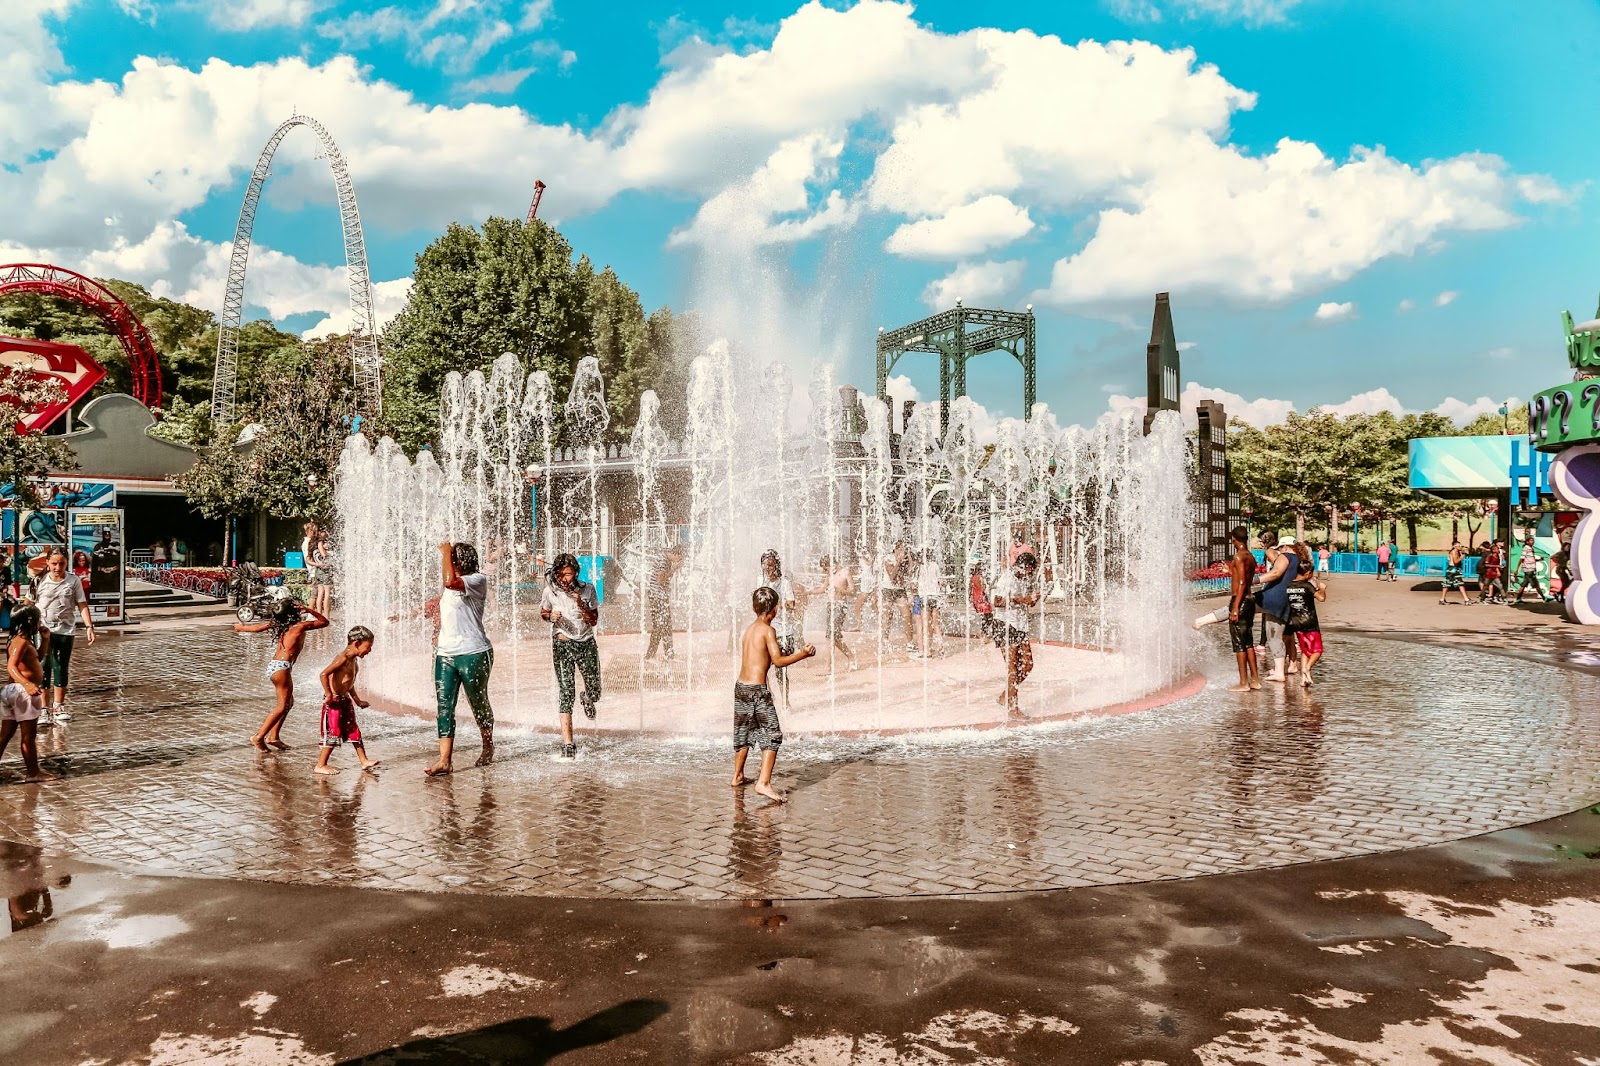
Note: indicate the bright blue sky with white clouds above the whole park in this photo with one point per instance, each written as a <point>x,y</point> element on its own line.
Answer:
<point>873,162</point>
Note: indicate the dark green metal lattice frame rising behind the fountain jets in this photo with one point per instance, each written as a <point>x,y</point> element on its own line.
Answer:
<point>956,337</point>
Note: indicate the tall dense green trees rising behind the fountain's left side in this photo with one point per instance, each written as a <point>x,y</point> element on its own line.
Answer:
<point>510,287</point>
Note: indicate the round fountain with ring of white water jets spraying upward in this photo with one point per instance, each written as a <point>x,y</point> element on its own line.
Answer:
<point>1103,510</point>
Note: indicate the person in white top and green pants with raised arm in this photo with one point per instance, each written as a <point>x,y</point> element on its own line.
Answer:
<point>463,657</point>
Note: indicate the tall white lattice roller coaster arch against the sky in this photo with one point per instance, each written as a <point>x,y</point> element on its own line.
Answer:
<point>366,361</point>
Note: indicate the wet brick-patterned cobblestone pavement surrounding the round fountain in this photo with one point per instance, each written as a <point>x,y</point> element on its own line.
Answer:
<point>1398,747</point>
